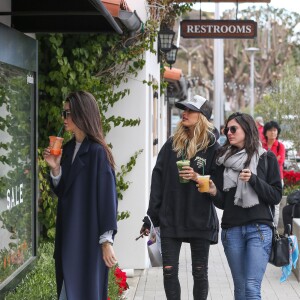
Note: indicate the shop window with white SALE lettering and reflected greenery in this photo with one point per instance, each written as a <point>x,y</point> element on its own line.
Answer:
<point>17,165</point>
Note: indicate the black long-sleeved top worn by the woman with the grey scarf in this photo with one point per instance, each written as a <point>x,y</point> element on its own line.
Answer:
<point>268,187</point>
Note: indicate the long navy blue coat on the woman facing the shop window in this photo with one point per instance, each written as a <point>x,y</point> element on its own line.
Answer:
<point>87,207</point>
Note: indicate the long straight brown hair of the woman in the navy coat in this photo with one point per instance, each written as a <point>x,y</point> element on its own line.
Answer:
<point>86,116</point>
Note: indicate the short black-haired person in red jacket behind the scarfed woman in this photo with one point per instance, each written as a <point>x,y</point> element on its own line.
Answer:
<point>271,133</point>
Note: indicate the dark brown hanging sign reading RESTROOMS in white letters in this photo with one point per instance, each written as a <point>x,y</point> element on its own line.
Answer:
<point>219,29</point>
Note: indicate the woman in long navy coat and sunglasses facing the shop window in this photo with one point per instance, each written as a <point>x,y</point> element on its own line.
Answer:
<point>83,178</point>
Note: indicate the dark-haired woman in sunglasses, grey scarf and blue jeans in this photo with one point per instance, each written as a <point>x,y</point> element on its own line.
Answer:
<point>246,185</point>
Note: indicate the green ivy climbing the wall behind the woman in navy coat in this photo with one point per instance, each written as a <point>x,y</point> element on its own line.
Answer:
<point>98,63</point>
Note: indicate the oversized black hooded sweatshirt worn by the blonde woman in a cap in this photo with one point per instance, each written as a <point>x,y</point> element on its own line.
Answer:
<point>178,208</point>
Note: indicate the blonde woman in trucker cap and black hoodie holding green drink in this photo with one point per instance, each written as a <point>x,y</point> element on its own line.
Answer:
<point>183,214</point>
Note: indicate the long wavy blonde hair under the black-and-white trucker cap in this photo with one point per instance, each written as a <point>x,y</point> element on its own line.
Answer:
<point>187,147</point>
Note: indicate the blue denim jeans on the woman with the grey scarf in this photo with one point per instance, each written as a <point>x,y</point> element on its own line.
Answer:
<point>247,249</point>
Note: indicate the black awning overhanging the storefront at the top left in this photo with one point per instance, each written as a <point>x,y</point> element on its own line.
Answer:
<point>67,16</point>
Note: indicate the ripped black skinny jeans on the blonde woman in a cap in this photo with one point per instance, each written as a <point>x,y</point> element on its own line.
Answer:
<point>170,253</point>
